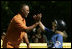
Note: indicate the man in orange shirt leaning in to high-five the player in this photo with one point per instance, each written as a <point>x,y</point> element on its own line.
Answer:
<point>17,29</point>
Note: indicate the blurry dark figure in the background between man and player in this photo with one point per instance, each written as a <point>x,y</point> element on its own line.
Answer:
<point>38,37</point>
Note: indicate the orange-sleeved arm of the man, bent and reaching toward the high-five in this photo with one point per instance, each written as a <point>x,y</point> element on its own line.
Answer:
<point>21,26</point>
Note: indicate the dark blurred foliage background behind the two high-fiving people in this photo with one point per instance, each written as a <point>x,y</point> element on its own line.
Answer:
<point>50,10</point>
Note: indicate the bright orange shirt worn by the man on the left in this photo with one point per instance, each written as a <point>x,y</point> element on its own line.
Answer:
<point>15,32</point>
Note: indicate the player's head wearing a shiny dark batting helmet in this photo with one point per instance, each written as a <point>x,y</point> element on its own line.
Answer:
<point>58,25</point>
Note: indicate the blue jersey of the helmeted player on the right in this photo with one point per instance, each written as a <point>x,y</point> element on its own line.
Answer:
<point>54,40</point>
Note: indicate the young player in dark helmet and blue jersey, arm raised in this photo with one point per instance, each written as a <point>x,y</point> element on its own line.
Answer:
<point>55,36</point>
